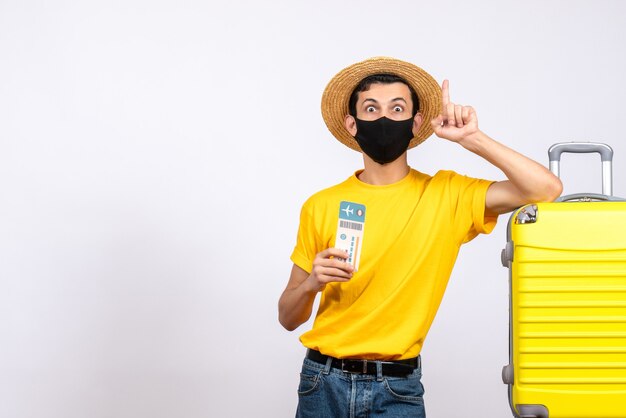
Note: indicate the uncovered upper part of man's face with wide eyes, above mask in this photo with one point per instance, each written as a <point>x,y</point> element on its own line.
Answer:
<point>390,100</point>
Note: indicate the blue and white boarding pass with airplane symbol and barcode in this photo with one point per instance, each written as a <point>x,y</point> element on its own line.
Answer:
<point>350,226</point>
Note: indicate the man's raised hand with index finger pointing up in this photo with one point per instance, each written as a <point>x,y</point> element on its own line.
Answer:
<point>455,122</point>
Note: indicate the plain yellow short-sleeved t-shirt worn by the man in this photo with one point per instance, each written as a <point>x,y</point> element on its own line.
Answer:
<point>412,234</point>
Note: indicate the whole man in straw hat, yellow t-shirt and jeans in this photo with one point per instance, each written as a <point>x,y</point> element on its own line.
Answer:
<point>379,297</point>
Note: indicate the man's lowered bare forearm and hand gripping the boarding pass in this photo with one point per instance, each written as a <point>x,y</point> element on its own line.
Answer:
<point>296,302</point>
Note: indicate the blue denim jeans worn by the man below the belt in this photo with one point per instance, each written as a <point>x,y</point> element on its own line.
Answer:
<point>326,392</point>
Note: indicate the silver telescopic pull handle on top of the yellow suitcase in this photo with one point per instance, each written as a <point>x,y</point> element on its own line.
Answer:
<point>606,154</point>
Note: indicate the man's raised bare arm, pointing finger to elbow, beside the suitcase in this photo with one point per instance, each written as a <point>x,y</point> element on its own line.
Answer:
<point>528,181</point>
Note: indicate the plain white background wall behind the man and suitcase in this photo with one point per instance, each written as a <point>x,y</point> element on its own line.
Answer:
<point>154,156</point>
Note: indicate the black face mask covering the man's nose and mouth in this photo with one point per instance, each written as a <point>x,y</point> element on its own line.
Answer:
<point>384,139</point>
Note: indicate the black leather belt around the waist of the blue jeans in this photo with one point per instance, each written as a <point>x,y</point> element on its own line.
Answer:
<point>389,368</point>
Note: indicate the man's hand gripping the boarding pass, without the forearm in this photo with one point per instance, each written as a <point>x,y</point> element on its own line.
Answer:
<point>328,267</point>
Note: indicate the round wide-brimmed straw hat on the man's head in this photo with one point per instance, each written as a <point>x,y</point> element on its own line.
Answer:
<point>337,95</point>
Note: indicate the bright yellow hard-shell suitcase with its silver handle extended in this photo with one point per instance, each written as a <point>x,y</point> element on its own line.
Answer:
<point>567,265</point>
